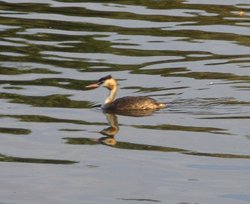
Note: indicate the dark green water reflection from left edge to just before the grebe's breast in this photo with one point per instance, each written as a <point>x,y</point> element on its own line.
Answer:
<point>46,101</point>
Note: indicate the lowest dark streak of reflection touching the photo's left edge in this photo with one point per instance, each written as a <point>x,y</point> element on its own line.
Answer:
<point>4,158</point>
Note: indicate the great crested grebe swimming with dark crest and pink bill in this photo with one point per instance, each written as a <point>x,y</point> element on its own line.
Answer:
<point>127,103</point>
